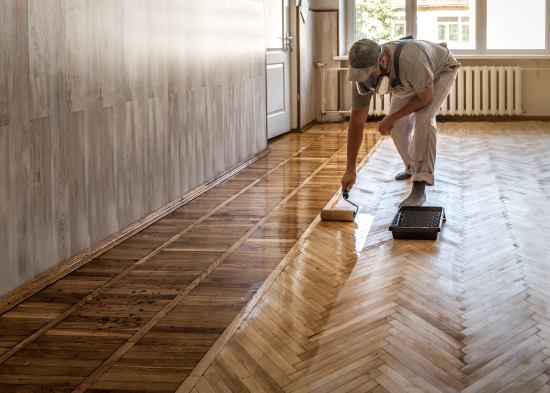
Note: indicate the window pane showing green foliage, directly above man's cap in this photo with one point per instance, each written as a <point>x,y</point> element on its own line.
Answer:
<point>379,20</point>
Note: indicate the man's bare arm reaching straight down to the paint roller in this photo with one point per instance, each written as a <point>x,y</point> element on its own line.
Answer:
<point>355,138</point>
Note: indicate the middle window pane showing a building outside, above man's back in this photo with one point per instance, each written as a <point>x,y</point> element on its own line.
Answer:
<point>452,21</point>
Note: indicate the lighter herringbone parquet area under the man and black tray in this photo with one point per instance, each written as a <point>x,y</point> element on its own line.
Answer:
<point>470,312</point>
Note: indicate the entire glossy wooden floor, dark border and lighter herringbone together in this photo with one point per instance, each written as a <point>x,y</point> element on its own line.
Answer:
<point>246,290</point>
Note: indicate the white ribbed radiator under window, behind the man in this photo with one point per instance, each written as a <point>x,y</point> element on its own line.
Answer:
<point>479,90</point>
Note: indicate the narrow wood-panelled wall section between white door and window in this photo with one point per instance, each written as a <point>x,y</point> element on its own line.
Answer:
<point>318,43</point>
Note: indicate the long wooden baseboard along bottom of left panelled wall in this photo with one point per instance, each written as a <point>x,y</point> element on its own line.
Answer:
<point>24,292</point>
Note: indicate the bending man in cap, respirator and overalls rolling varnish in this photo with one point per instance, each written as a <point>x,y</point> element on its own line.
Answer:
<point>420,82</point>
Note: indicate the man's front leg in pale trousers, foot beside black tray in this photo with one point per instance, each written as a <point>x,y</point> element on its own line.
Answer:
<point>423,147</point>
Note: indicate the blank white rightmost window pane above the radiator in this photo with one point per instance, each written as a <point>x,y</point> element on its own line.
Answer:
<point>513,25</point>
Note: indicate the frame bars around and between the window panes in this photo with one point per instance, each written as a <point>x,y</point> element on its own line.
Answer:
<point>480,27</point>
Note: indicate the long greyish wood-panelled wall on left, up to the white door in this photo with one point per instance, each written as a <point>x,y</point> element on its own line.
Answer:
<point>110,109</point>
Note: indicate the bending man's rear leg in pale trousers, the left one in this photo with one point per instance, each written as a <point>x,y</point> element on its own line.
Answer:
<point>401,135</point>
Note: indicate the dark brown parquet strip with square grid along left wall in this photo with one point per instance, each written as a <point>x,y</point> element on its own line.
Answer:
<point>140,317</point>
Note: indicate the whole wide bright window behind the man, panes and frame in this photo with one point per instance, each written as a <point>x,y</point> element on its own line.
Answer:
<point>506,27</point>
